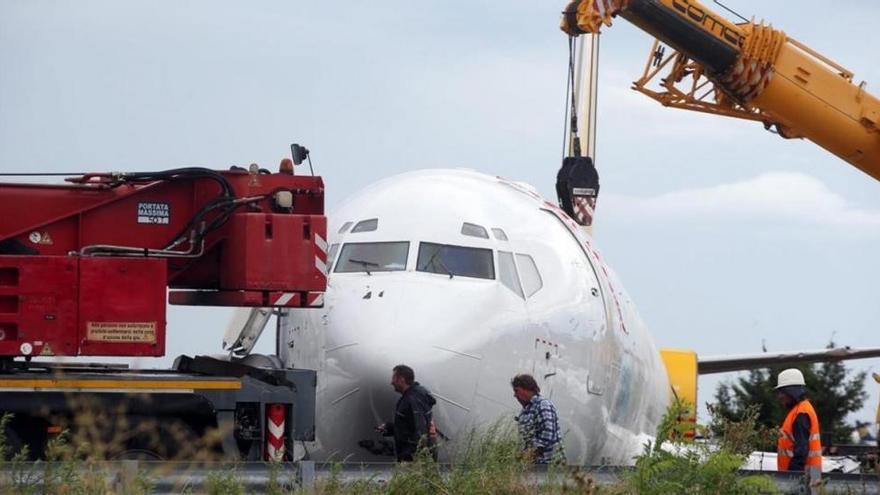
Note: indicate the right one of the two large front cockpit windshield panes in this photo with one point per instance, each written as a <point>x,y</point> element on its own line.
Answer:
<point>455,260</point>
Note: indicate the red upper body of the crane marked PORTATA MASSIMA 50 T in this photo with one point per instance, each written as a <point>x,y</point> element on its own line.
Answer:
<point>85,267</point>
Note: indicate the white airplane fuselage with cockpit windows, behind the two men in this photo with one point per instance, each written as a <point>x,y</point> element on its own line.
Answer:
<point>391,300</point>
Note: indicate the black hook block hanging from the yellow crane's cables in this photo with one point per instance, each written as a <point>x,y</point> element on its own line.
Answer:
<point>577,187</point>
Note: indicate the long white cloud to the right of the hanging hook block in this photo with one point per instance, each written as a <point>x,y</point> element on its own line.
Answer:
<point>775,197</point>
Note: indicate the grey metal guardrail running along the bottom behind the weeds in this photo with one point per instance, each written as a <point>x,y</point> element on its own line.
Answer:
<point>257,477</point>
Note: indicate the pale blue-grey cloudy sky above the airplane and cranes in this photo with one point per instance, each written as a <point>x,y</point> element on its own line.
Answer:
<point>726,236</point>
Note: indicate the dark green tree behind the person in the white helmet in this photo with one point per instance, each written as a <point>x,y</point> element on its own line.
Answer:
<point>832,395</point>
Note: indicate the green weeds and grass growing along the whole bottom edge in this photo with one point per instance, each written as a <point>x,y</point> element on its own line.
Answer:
<point>489,461</point>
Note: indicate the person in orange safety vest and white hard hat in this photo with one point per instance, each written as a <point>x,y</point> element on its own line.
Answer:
<point>799,447</point>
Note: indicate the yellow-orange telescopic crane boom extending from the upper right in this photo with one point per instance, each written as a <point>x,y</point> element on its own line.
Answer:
<point>747,70</point>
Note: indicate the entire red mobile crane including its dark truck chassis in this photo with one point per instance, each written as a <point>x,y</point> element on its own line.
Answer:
<point>85,268</point>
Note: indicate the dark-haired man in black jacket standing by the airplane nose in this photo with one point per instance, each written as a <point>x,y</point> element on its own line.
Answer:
<point>412,427</point>
